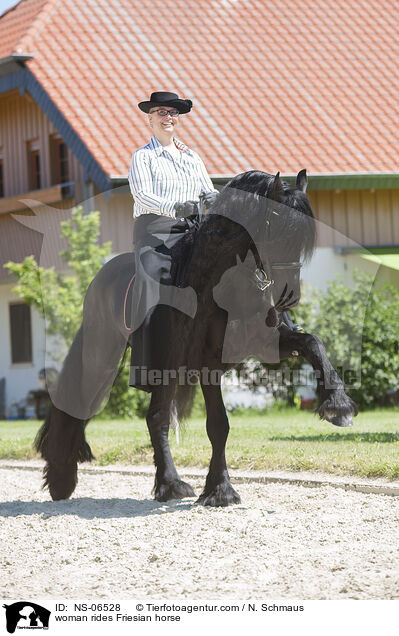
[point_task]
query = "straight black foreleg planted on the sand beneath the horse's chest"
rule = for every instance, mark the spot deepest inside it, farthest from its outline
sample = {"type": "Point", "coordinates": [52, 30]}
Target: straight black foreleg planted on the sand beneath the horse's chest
{"type": "Point", "coordinates": [218, 490]}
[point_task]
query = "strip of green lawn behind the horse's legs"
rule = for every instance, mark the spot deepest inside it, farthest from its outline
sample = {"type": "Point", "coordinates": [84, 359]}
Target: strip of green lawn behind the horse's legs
{"type": "Point", "coordinates": [283, 440]}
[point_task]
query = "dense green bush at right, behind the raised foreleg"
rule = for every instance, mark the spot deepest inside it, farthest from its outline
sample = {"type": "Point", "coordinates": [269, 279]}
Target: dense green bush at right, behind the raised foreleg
{"type": "Point", "coordinates": [359, 328]}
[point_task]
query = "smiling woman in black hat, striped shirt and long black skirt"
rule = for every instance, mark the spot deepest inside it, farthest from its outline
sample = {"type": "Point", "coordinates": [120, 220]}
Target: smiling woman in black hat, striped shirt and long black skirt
{"type": "Point", "coordinates": [165, 177]}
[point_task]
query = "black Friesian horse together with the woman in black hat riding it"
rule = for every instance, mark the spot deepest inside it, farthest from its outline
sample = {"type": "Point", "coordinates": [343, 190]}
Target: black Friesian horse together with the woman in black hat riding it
{"type": "Point", "coordinates": [232, 277]}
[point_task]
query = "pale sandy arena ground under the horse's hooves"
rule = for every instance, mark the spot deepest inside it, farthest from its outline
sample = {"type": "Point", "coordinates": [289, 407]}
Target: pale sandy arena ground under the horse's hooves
{"type": "Point", "coordinates": [111, 540]}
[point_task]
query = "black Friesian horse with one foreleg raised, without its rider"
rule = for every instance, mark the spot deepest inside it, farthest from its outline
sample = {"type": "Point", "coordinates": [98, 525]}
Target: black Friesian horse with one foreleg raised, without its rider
{"type": "Point", "coordinates": [242, 261]}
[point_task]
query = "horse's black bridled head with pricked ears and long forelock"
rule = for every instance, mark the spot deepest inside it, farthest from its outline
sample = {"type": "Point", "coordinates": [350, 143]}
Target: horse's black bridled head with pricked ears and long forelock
{"type": "Point", "coordinates": [280, 226]}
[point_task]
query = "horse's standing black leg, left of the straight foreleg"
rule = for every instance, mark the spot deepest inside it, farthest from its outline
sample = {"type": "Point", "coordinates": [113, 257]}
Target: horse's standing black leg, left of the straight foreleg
{"type": "Point", "coordinates": [168, 484]}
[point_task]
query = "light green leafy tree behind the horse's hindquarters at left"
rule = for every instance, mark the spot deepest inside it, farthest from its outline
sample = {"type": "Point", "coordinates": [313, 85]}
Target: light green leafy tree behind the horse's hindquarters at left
{"type": "Point", "coordinates": [59, 297]}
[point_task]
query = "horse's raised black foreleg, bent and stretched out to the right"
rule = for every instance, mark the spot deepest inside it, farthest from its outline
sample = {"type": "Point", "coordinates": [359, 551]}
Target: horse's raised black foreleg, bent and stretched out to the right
{"type": "Point", "coordinates": [333, 403]}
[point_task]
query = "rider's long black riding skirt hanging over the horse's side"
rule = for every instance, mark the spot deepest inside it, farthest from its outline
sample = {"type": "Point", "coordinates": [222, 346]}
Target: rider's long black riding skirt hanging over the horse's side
{"type": "Point", "coordinates": [158, 268]}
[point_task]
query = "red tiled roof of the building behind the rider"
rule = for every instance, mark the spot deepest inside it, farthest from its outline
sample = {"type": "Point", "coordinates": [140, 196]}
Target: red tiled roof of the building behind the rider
{"type": "Point", "coordinates": [275, 86]}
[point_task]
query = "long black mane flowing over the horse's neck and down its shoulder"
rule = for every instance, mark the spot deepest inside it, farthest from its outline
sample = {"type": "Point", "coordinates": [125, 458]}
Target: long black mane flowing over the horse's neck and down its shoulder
{"type": "Point", "coordinates": [248, 201]}
